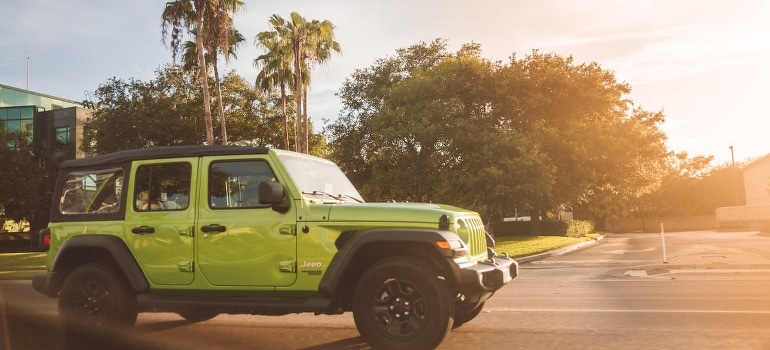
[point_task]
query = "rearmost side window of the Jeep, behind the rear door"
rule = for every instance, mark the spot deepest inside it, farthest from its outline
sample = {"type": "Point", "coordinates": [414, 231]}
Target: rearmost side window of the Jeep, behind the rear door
{"type": "Point", "coordinates": [92, 192]}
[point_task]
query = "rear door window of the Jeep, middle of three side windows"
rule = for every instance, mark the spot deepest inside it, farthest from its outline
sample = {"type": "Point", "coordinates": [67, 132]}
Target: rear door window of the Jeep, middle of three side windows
{"type": "Point", "coordinates": [162, 187]}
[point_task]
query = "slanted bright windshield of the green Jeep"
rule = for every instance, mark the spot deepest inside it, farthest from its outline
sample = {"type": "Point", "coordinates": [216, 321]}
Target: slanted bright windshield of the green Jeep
{"type": "Point", "coordinates": [318, 178]}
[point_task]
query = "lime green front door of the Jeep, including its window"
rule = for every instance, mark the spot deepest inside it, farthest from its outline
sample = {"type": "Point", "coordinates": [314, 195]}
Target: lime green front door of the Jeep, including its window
{"type": "Point", "coordinates": [241, 242]}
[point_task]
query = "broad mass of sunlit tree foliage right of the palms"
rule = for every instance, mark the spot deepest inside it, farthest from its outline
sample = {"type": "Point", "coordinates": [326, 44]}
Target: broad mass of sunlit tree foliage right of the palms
{"type": "Point", "coordinates": [538, 133]}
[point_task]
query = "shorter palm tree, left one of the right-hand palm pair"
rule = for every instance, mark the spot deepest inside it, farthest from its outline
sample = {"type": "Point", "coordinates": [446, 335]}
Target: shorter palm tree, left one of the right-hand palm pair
{"type": "Point", "coordinates": [275, 68]}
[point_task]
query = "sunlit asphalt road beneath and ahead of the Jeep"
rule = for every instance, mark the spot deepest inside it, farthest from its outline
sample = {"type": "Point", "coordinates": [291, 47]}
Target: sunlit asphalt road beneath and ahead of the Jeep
{"type": "Point", "coordinates": [710, 293]}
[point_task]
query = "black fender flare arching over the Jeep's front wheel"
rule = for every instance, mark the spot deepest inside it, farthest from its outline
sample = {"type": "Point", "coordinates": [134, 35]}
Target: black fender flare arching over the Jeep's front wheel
{"type": "Point", "coordinates": [350, 243]}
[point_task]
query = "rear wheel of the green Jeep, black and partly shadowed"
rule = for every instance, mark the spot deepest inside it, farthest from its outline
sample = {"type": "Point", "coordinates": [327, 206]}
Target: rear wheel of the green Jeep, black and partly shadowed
{"type": "Point", "coordinates": [94, 296]}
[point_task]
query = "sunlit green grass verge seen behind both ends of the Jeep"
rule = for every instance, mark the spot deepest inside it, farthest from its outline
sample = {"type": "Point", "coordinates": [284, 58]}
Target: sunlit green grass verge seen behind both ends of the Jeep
{"type": "Point", "coordinates": [21, 266]}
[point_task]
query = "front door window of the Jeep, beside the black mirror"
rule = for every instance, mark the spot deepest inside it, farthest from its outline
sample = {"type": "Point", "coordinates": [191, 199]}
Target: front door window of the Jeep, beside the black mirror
{"type": "Point", "coordinates": [235, 184]}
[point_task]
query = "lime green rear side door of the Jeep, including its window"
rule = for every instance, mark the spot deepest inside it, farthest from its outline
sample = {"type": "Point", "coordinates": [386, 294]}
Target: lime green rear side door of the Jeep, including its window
{"type": "Point", "coordinates": [160, 214]}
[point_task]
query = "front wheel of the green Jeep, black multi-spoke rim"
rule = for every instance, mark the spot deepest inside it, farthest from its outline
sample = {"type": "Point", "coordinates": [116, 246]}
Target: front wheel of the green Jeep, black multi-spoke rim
{"type": "Point", "coordinates": [401, 303]}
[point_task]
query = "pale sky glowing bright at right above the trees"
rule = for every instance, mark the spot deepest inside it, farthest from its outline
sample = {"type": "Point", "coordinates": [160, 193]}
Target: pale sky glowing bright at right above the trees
{"type": "Point", "coordinates": [704, 64]}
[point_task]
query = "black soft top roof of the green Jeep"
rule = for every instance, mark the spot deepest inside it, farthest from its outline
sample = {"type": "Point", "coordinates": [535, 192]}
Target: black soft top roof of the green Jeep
{"type": "Point", "coordinates": [161, 152]}
